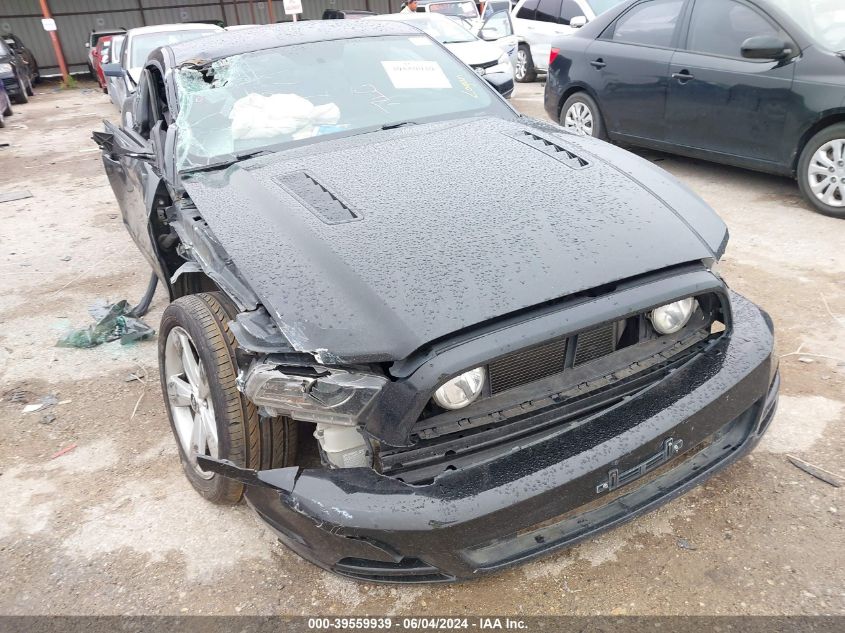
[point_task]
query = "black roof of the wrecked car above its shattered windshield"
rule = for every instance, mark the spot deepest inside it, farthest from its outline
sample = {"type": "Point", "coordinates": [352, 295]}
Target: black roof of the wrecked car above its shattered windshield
{"type": "Point", "coordinates": [229, 43]}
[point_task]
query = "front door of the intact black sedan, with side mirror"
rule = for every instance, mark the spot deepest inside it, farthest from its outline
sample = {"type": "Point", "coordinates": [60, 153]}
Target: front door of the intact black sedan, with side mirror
{"type": "Point", "coordinates": [720, 102]}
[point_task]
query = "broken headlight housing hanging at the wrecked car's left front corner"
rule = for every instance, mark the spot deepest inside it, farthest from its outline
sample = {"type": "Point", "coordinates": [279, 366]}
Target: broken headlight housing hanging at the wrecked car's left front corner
{"type": "Point", "coordinates": [330, 396]}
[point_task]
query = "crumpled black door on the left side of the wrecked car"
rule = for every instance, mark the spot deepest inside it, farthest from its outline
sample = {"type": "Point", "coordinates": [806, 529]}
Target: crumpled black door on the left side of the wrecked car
{"type": "Point", "coordinates": [132, 160]}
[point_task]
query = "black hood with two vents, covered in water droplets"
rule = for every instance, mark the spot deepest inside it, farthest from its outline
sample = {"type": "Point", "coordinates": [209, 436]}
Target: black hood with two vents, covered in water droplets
{"type": "Point", "coordinates": [370, 247]}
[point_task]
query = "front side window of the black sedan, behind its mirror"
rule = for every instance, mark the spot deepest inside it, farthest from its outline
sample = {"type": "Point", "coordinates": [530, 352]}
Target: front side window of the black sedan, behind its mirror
{"type": "Point", "coordinates": [719, 27]}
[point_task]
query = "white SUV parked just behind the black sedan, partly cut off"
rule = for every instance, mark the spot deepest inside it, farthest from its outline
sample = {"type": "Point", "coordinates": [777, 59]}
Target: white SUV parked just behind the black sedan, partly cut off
{"type": "Point", "coordinates": [538, 22]}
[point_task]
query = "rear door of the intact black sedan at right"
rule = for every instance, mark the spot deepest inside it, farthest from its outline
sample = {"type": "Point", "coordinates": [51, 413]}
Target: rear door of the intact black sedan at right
{"type": "Point", "coordinates": [629, 68]}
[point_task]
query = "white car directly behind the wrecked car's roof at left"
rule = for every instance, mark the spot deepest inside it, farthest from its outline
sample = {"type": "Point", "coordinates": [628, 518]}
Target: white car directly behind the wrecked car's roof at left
{"type": "Point", "coordinates": [139, 43]}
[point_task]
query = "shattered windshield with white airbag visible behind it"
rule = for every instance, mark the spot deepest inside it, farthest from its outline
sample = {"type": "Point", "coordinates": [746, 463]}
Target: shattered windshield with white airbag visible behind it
{"type": "Point", "coordinates": [272, 98]}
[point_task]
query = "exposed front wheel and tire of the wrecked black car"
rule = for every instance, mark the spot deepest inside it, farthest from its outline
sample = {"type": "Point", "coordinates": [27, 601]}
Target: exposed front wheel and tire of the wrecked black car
{"type": "Point", "coordinates": [212, 400]}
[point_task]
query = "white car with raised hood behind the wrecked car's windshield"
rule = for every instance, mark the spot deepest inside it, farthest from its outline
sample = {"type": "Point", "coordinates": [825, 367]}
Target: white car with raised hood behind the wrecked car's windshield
{"type": "Point", "coordinates": [487, 59]}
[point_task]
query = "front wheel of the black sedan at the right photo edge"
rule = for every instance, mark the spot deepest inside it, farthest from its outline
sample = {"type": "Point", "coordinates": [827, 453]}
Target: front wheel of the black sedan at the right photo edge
{"type": "Point", "coordinates": [823, 153]}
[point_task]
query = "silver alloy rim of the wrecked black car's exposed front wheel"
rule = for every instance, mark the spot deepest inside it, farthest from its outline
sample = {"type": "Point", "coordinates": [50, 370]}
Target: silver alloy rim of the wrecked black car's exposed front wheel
{"type": "Point", "coordinates": [189, 399]}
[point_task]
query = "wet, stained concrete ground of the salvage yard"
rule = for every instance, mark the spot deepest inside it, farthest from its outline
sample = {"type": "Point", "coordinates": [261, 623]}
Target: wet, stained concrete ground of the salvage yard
{"type": "Point", "coordinates": [112, 526]}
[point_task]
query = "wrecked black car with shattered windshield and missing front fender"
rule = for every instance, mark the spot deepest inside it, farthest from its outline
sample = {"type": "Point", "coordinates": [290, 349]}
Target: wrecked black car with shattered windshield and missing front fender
{"type": "Point", "coordinates": [423, 374]}
